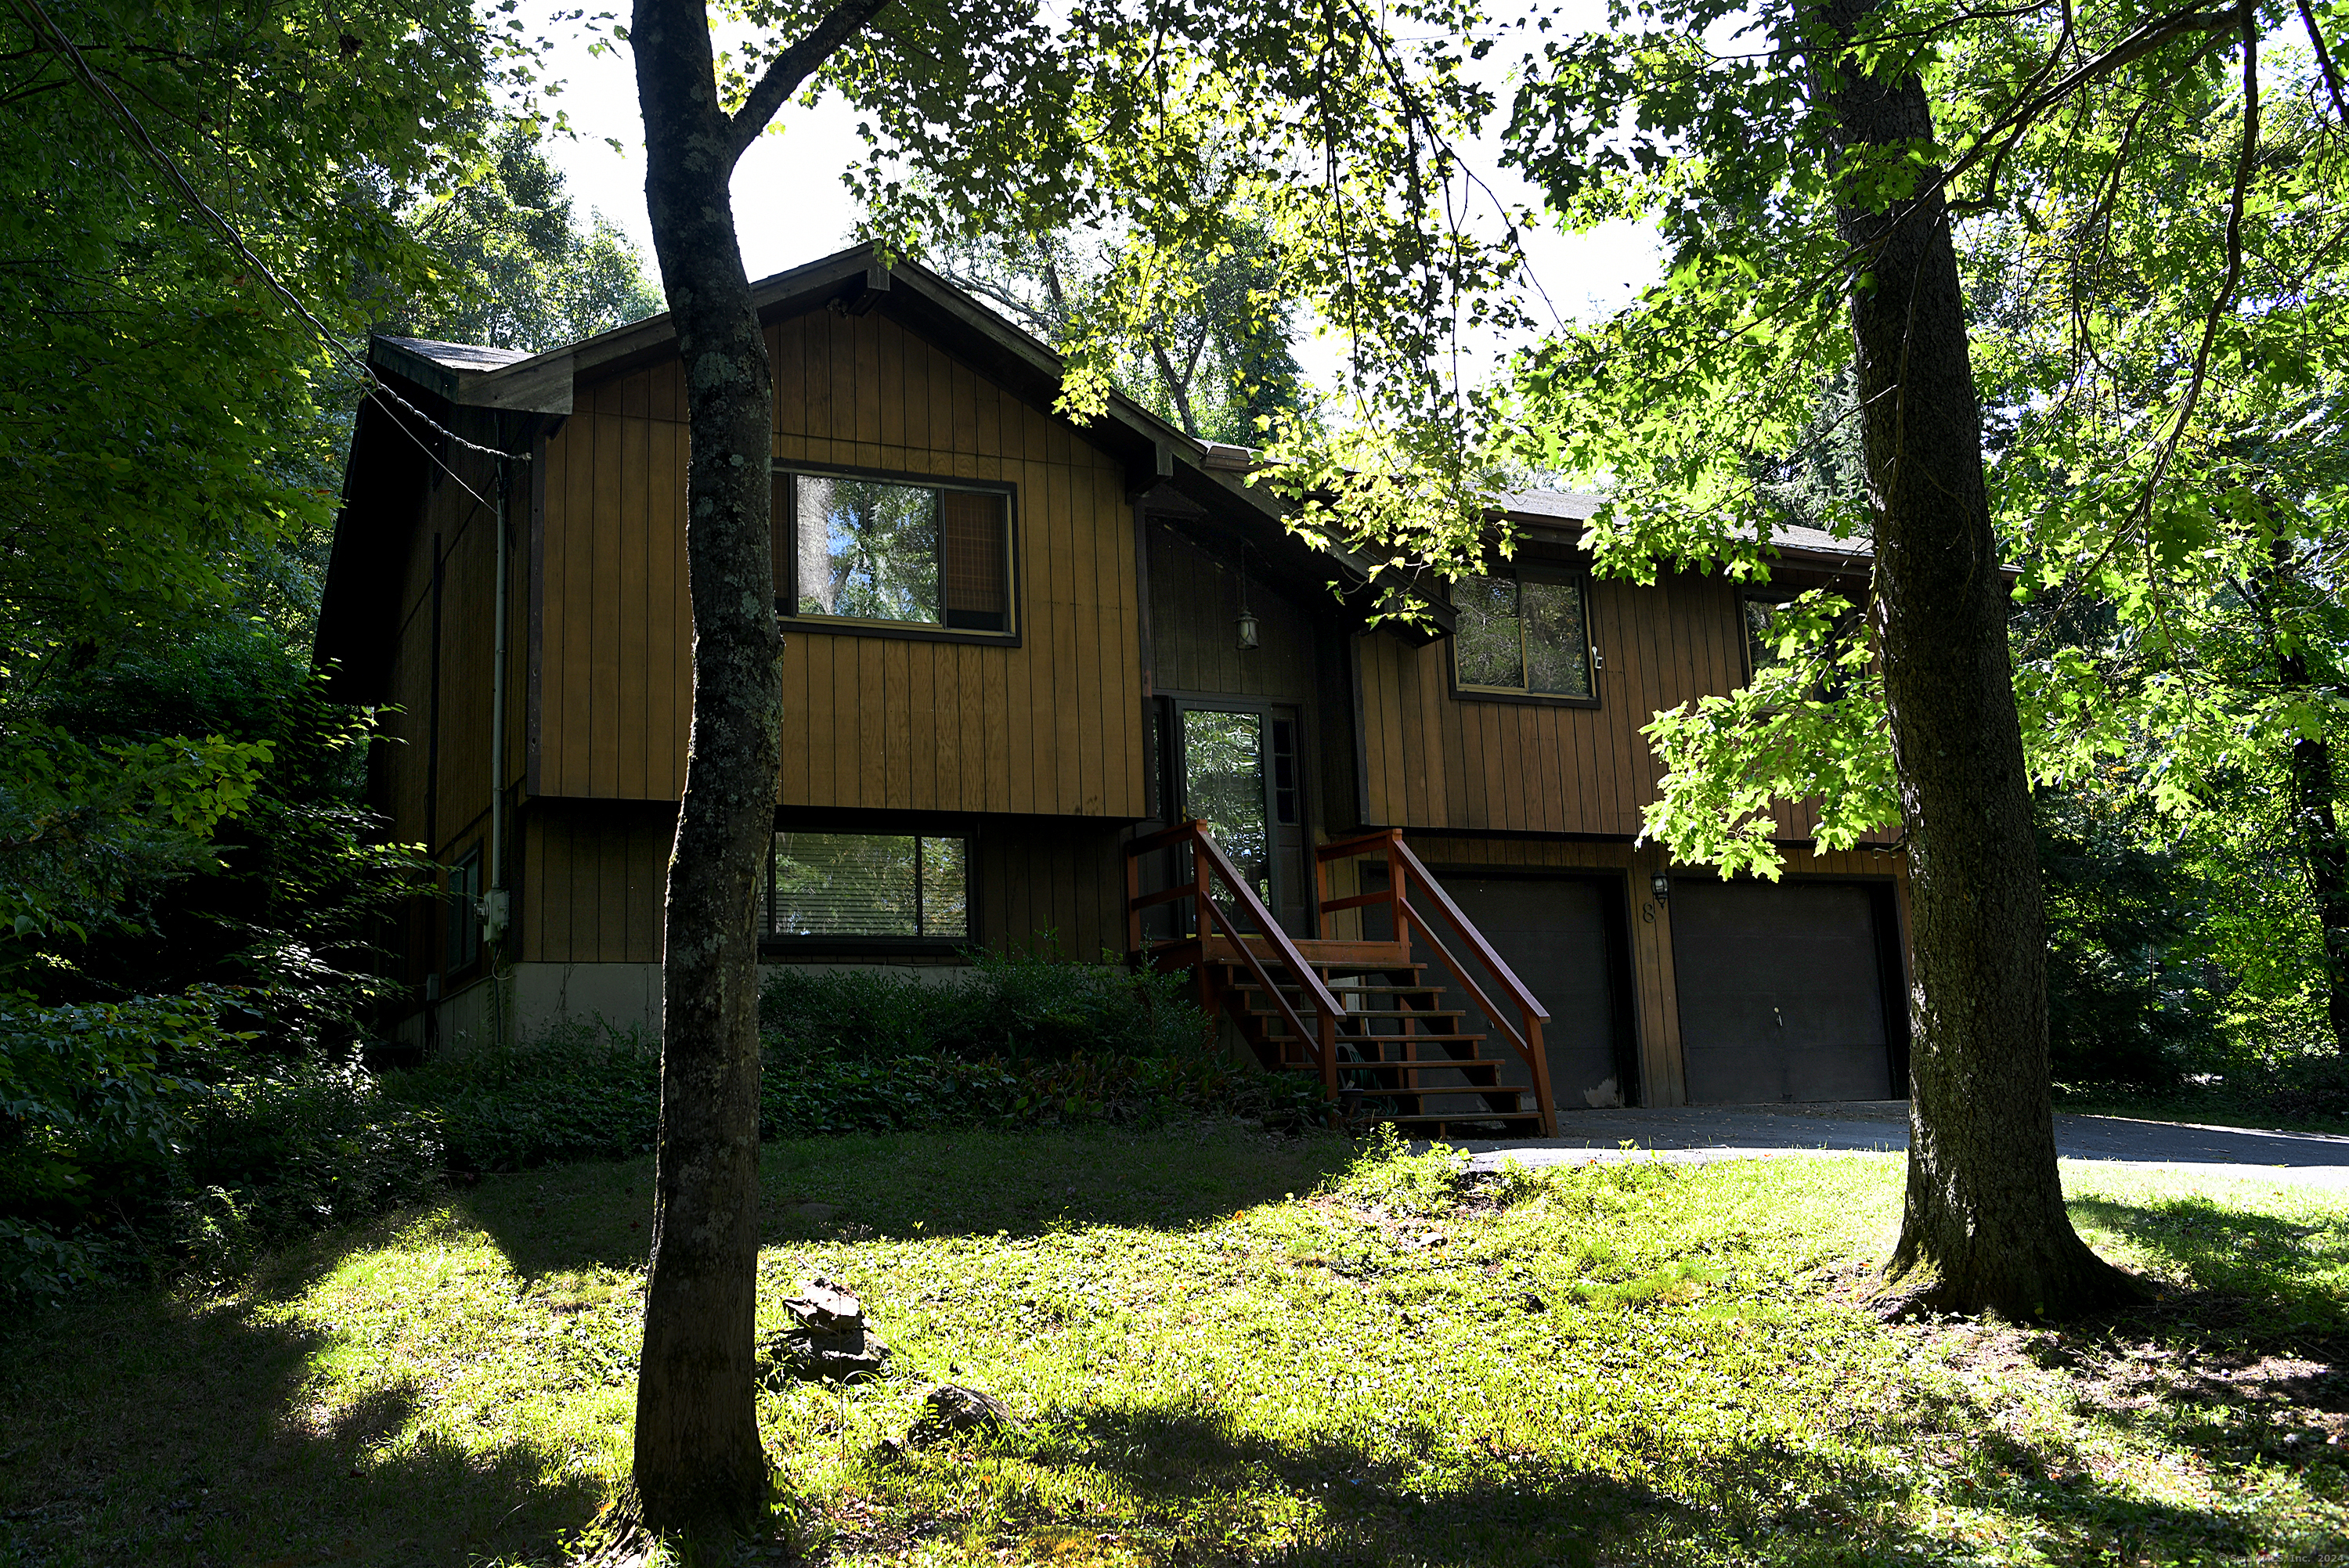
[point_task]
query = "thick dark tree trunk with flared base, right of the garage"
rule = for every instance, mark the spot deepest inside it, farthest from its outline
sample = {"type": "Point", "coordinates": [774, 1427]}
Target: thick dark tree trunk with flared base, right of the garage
{"type": "Point", "coordinates": [1984, 1226]}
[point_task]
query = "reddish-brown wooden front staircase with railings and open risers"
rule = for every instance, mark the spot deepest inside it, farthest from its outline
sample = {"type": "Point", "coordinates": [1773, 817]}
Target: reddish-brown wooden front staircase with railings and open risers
{"type": "Point", "coordinates": [1366, 1018]}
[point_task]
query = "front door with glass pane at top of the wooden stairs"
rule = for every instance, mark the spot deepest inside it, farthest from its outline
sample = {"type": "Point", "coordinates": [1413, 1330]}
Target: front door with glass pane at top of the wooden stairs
{"type": "Point", "coordinates": [1239, 773]}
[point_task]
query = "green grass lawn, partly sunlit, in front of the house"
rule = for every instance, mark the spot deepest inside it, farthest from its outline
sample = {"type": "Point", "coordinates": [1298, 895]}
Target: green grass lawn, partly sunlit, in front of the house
{"type": "Point", "coordinates": [1232, 1351]}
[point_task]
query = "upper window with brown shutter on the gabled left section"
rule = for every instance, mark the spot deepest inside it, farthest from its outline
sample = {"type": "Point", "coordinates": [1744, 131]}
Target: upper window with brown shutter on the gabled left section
{"type": "Point", "coordinates": [891, 553]}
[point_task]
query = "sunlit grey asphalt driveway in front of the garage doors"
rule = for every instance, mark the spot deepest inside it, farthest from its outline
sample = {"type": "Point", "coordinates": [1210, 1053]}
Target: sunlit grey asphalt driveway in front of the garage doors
{"type": "Point", "coordinates": [1772, 1133]}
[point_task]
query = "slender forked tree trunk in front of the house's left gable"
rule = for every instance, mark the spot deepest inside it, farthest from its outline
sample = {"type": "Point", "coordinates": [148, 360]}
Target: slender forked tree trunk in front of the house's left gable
{"type": "Point", "coordinates": [699, 1457]}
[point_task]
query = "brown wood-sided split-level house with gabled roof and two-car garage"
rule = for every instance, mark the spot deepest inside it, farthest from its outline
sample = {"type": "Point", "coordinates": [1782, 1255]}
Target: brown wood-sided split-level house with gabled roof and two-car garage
{"type": "Point", "coordinates": [1021, 654]}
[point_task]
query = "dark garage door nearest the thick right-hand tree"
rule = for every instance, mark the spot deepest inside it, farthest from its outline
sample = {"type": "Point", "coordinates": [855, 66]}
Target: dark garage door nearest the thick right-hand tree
{"type": "Point", "coordinates": [1782, 994]}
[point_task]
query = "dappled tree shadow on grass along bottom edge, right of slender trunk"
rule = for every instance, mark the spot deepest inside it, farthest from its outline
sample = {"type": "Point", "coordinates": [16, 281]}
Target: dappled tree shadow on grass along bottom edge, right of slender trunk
{"type": "Point", "coordinates": [1211, 1485]}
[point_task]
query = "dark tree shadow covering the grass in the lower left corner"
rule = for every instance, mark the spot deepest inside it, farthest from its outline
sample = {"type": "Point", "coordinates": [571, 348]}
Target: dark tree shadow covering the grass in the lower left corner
{"type": "Point", "coordinates": [152, 1428]}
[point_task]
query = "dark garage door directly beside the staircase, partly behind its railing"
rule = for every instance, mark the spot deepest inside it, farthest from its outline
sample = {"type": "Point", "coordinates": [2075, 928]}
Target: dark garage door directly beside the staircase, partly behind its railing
{"type": "Point", "coordinates": [1561, 940]}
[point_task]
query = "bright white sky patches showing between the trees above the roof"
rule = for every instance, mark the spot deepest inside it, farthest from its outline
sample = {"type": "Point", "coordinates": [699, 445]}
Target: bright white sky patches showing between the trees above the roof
{"type": "Point", "coordinates": [790, 205]}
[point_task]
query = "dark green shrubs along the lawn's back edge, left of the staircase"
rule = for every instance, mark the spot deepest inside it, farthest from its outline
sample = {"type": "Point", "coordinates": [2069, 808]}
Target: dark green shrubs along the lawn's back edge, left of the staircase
{"type": "Point", "coordinates": [198, 1172]}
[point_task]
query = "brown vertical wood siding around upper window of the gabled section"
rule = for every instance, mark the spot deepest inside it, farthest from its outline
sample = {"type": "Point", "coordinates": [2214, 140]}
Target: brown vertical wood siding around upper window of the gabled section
{"type": "Point", "coordinates": [1049, 726]}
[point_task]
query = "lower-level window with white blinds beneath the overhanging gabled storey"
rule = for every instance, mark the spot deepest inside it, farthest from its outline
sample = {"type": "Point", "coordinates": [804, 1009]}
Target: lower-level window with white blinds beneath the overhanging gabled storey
{"type": "Point", "coordinates": [868, 886]}
